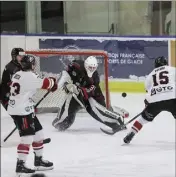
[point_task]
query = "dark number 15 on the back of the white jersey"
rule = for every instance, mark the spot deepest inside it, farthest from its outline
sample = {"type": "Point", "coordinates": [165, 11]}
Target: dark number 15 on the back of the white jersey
{"type": "Point", "coordinates": [163, 78]}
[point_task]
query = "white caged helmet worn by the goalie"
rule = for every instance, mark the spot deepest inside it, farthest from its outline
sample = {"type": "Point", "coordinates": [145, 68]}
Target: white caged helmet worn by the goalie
{"type": "Point", "coordinates": [90, 65]}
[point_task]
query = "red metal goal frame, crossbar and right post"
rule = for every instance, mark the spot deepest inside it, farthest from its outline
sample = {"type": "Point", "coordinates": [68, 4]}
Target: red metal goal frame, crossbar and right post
{"type": "Point", "coordinates": [47, 53]}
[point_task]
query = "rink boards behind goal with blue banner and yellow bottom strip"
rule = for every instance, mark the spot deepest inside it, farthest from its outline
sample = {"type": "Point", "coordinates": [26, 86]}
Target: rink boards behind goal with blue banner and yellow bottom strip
{"type": "Point", "coordinates": [130, 58]}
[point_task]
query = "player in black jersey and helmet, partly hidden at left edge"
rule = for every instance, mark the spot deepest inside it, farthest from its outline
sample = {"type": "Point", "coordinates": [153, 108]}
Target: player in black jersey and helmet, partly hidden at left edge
{"type": "Point", "coordinates": [10, 69]}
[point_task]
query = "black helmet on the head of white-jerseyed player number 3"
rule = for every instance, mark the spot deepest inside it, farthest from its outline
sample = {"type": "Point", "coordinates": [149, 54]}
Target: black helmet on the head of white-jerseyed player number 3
{"type": "Point", "coordinates": [27, 62]}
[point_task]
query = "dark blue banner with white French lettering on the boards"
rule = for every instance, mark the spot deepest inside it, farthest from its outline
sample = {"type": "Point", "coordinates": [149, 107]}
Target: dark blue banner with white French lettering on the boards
{"type": "Point", "coordinates": [128, 59]}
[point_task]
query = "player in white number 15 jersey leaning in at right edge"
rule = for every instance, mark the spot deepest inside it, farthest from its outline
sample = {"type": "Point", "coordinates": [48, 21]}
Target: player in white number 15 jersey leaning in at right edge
{"type": "Point", "coordinates": [161, 95]}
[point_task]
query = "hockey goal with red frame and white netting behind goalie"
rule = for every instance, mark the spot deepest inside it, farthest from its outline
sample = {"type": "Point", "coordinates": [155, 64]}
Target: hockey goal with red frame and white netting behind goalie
{"type": "Point", "coordinates": [53, 62]}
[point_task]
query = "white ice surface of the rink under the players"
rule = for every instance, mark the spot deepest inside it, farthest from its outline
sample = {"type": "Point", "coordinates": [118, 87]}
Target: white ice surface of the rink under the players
{"type": "Point", "coordinates": [84, 151]}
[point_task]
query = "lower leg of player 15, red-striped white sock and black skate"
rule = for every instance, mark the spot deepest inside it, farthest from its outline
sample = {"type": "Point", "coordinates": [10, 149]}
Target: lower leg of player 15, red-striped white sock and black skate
{"type": "Point", "coordinates": [137, 126]}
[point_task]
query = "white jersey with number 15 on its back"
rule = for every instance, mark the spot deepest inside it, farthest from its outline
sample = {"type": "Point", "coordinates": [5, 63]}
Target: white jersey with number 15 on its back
{"type": "Point", "coordinates": [161, 84]}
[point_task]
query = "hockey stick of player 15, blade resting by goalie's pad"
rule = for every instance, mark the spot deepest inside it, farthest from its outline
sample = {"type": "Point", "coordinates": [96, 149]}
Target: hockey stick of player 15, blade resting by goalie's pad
{"type": "Point", "coordinates": [120, 127]}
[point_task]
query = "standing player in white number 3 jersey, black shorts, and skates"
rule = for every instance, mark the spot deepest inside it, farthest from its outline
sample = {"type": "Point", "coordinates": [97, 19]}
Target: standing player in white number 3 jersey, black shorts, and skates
{"type": "Point", "coordinates": [21, 108]}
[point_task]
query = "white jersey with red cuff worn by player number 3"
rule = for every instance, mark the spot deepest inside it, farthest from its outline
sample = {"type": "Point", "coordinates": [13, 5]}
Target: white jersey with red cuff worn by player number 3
{"type": "Point", "coordinates": [24, 85]}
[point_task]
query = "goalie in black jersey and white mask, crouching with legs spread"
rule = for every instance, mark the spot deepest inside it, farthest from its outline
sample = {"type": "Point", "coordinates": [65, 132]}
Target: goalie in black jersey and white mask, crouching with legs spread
{"type": "Point", "coordinates": [81, 79]}
